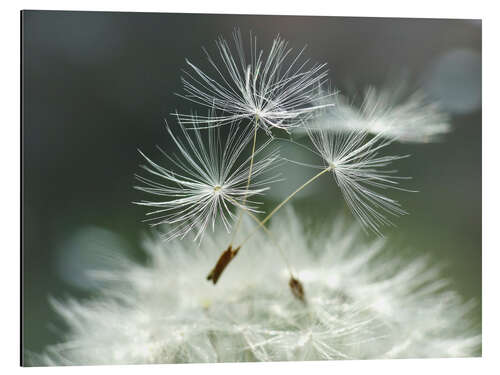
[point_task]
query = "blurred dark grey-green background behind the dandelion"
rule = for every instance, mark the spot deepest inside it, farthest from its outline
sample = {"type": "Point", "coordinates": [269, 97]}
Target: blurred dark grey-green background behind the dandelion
{"type": "Point", "coordinates": [98, 85]}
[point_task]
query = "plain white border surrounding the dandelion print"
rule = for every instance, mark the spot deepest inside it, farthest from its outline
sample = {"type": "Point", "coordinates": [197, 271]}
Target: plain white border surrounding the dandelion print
{"type": "Point", "coordinates": [10, 156]}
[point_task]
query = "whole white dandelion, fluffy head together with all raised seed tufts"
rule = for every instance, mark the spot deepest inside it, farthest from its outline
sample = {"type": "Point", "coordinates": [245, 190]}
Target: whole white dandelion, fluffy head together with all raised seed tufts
{"type": "Point", "coordinates": [360, 301]}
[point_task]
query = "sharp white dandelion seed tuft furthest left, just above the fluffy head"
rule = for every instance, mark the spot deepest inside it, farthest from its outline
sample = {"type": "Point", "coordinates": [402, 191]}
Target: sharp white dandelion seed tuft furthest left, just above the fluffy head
{"type": "Point", "coordinates": [211, 182]}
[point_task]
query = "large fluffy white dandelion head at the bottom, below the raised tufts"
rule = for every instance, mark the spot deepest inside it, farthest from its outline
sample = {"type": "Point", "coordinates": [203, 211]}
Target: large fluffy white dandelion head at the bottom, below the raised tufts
{"type": "Point", "coordinates": [361, 303]}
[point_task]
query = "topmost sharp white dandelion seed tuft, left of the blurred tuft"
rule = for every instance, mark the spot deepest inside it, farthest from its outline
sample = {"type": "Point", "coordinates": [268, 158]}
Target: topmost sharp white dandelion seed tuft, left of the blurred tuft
{"type": "Point", "coordinates": [275, 91]}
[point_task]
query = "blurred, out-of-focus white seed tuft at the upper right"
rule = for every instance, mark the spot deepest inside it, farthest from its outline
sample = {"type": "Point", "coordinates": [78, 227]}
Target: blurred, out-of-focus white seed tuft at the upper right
{"type": "Point", "coordinates": [391, 111]}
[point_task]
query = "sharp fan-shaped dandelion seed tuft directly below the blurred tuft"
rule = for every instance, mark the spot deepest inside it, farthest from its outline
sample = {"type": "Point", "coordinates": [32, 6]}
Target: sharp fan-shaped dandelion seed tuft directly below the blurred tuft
{"type": "Point", "coordinates": [357, 168]}
